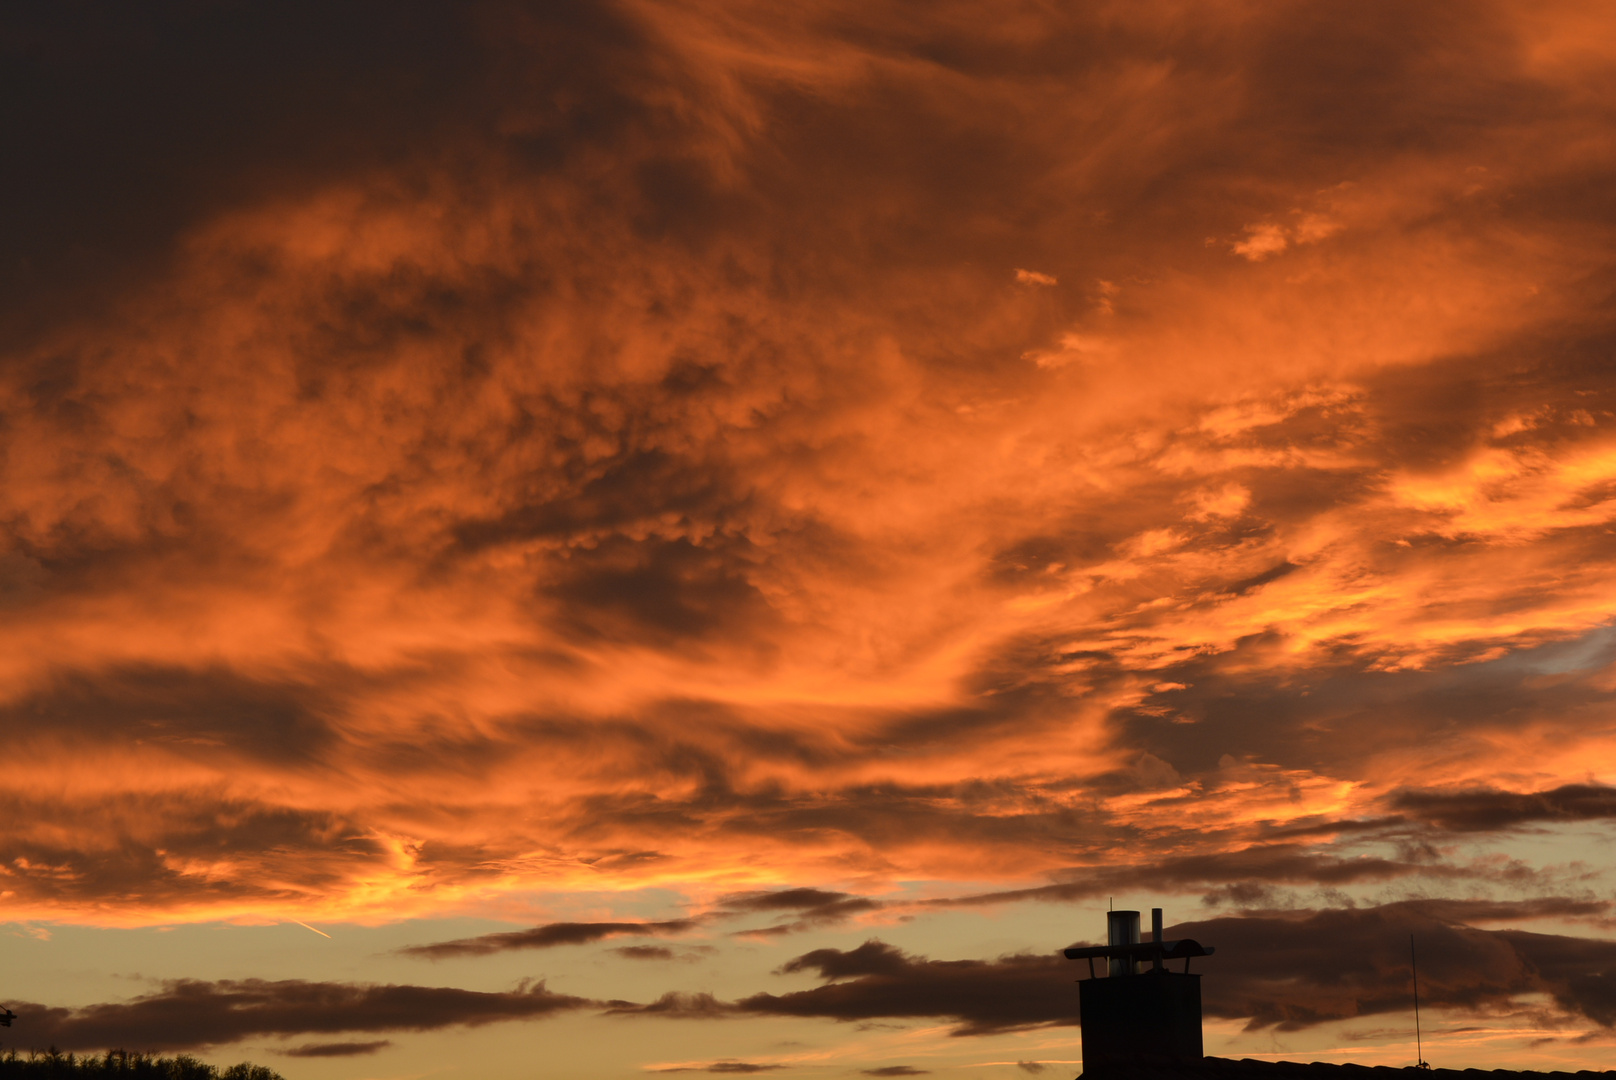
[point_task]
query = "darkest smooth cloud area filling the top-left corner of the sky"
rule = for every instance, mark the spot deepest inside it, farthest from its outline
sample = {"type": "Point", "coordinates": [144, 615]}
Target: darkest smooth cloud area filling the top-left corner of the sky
{"type": "Point", "coordinates": [133, 125]}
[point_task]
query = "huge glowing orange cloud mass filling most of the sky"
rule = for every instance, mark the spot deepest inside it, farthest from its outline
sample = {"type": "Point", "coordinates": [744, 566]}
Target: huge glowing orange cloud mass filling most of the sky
{"type": "Point", "coordinates": [660, 471]}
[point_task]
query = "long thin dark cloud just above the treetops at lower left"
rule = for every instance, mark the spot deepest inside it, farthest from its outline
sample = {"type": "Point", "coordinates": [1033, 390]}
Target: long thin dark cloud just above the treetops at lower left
{"type": "Point", "coordinates": [190, 1013]}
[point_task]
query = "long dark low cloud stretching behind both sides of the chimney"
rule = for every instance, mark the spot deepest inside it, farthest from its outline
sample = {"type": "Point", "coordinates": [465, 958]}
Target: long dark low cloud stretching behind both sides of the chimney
{"type": "Point", "coordinates": [1284, 971]}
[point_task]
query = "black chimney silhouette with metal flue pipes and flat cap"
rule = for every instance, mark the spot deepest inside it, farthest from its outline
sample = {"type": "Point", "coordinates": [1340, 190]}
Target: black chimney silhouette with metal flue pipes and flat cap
{"type": "Point", "coordinates": [1134, 1016]}
